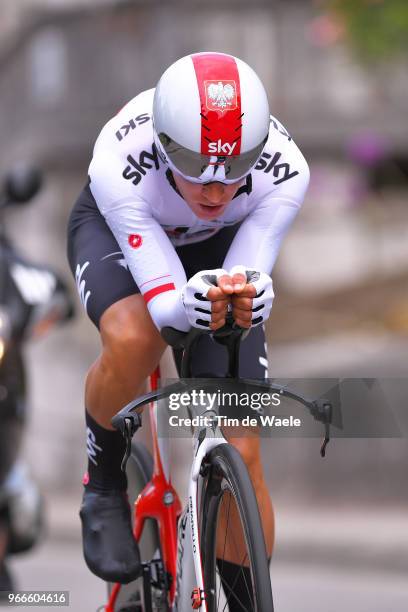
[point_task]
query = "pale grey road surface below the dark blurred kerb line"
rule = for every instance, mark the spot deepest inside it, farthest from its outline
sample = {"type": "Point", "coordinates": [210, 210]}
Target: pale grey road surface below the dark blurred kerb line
{"type": "Point", "coordinates": [297, 587]}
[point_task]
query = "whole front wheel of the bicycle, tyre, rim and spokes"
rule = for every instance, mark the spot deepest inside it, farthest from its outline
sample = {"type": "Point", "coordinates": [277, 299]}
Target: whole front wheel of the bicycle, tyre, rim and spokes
{"type": "Point", "coordinates": [226, 482]}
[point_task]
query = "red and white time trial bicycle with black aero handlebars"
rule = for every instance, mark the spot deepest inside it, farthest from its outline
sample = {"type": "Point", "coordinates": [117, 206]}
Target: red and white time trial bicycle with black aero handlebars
{"type": "Point", "coordinates": [181, 564]}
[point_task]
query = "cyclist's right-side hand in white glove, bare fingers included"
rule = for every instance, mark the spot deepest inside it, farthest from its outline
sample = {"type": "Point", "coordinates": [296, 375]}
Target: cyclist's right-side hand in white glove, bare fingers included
{"type": "Point", "coordinates": [252, 298]}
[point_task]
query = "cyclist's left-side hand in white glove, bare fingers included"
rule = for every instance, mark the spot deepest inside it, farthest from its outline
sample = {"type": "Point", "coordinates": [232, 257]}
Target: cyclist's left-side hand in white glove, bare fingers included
{"type": "Point", "coordinates": [205, 302]}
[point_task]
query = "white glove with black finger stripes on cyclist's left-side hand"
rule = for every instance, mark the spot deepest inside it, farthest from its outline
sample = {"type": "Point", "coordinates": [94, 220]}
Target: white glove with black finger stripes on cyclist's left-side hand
{"type": "Point", "coordinates": [194, 296]}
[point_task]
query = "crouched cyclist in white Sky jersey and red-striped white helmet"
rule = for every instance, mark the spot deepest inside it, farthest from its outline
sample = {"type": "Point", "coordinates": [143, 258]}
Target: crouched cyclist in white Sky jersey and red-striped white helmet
{"type": "Point", "coordinates": [192, 187]}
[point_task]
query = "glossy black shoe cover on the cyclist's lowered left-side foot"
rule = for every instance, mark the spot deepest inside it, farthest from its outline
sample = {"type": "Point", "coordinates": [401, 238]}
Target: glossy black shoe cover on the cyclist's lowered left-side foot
{"type": "Point", "coordinates": [110, 550]}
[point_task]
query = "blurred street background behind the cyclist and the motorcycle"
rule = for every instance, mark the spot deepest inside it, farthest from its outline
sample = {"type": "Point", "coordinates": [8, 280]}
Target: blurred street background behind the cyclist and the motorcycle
{"type": "Point", "coordinates": [336, 75]}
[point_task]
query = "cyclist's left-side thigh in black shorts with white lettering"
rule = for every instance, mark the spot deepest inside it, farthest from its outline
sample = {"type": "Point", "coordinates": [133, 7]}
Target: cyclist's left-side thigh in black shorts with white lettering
{"type": "Point", "coordinates": [95, 258]}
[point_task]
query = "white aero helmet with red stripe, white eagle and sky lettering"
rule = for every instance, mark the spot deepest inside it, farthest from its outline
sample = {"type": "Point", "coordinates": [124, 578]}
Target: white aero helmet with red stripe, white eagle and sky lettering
{"type": "Point", "coordinates": [210, 117]}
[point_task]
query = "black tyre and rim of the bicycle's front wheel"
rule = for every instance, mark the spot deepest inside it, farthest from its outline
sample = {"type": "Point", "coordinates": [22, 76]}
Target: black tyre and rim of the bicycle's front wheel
{"type": "Point", "coordinates": [226, 472]}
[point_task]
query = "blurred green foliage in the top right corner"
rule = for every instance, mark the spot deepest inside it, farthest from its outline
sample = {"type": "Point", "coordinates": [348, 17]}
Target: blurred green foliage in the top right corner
{"type": "Point", "coordinates": [376, 29]}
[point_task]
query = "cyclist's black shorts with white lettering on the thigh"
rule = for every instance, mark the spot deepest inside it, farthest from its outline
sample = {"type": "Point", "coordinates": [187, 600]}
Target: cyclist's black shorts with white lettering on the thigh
{"type": "Point", "coordinates": [102, 278]}
